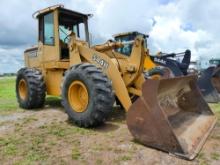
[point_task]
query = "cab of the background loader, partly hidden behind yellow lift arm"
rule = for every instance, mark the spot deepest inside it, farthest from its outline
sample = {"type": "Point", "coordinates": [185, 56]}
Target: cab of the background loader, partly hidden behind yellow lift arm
{"type": "Point", "coordinates": [127, 39]}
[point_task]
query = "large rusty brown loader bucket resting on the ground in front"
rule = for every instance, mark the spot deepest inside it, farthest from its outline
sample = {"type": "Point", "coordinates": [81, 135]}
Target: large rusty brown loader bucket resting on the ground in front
{"type": "Point", "coordinates": [171, 115]}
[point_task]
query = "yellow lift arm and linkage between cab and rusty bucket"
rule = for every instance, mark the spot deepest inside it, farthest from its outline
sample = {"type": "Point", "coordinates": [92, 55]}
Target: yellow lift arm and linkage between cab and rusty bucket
{"type": "Point", "coordinates": [132, 73]}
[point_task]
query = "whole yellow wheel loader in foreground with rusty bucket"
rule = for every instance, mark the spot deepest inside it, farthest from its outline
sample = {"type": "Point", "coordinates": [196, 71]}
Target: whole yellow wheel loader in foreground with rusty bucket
{"type": "Point", "coordinates": [168, 114]}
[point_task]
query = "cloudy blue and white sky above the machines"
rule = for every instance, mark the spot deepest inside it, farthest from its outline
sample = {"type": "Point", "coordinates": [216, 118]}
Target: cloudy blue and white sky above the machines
{"type": "Point", "coordinates": [173, 25]}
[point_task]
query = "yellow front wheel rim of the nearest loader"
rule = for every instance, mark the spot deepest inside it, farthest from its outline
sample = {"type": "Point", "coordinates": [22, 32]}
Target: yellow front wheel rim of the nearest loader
{"type": "Point", "coordinates": [78, 96]}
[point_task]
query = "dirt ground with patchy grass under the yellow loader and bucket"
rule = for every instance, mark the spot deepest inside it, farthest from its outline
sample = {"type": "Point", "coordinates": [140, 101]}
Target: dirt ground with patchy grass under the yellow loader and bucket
{"type": "Point", "coordinates": [46, 136]}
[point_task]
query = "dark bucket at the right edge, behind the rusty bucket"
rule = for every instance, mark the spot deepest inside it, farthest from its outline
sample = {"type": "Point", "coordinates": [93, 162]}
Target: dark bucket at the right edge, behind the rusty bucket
{"type": "Point", "coordinates": [207, 87]}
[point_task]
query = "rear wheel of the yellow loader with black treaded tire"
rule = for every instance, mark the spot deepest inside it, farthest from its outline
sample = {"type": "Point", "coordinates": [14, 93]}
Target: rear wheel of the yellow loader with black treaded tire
{"type": "Point", "coordinates": [35, 88]}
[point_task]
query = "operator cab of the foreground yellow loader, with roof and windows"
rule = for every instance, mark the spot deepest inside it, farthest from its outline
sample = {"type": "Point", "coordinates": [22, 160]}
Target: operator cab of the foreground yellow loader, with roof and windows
{"type": "Point", "coordinates": [55, 25]}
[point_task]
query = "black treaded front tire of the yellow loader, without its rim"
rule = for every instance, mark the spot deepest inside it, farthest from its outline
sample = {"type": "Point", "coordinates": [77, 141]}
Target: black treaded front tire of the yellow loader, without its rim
{"type": "Point", "coordinates": [100, 95]}
